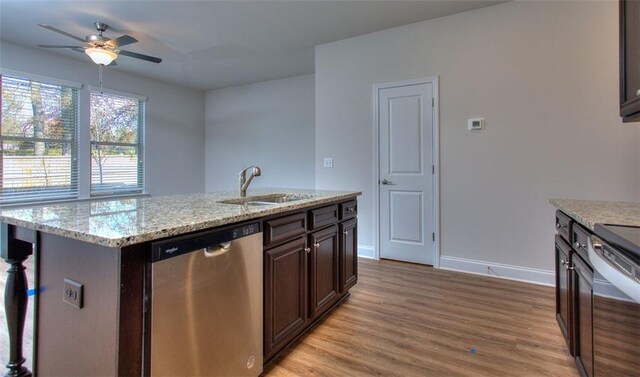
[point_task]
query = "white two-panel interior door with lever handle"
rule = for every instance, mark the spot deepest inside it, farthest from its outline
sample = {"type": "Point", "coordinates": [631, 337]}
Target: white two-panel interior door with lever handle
{"type": "Point", "coordinates": [406, 179]}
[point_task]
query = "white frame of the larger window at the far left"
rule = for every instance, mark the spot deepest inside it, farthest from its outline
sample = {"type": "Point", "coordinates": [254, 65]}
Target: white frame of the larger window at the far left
{"type": "Point", "coordinates": [73, 192]}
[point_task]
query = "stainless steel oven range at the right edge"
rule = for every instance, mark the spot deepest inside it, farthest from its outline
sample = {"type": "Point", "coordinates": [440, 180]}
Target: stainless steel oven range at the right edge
{"type": "Point", "coordinates": [614, 253]}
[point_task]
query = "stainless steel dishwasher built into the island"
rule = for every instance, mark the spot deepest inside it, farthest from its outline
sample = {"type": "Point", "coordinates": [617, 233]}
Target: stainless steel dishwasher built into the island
{"type": "Point", "coordinates": [205, 310]}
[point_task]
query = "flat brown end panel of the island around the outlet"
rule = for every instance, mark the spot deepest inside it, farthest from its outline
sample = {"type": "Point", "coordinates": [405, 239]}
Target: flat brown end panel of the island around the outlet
{"type": "Point", "coordinates": [84, 340]}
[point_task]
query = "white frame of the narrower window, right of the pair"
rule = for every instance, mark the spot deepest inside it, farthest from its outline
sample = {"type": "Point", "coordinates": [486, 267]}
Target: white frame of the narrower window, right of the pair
{"type": "Point", "coordinates": [140, 145]}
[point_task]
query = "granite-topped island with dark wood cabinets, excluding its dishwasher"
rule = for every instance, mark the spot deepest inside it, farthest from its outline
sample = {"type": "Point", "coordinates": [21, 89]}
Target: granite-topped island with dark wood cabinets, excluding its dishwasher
{"type": "Point", "coordinates": [105, 245]}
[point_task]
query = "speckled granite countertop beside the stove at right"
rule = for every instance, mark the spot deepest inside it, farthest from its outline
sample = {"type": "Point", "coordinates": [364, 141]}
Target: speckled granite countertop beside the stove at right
{"type": "Point", "coordinates": [589, 212]}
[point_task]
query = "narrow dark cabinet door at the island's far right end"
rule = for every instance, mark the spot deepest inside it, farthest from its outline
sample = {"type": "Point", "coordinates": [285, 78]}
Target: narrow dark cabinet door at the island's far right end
{"type": "Point", "coordinates": [348, 255]}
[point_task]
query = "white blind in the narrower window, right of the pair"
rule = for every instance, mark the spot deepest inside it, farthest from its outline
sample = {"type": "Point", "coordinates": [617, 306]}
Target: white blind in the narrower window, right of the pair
{"type": "Point", "coordinates": [117, 148]}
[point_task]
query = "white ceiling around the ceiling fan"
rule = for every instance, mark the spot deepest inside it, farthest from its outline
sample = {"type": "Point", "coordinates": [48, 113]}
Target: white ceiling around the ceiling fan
{"type": "Point", "coordinates": [216, 44]}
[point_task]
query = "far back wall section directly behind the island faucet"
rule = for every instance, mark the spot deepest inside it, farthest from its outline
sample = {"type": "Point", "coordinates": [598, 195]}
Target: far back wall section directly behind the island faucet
{"type": "Point", "coordinates": [269, 124]}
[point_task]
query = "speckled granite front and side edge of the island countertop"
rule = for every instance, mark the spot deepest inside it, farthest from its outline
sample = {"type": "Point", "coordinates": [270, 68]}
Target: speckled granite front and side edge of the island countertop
{"type": "Point", "coordinates": [184, 229]}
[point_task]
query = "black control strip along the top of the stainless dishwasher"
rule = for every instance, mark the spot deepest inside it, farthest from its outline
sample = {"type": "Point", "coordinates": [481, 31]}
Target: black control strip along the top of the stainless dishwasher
{"type": "Point", "coordinates": [180, 245]}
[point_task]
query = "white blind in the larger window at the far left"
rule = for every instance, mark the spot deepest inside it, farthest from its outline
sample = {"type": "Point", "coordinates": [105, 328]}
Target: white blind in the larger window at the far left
{"type": "Point", "coordinates": [38, 141]}
